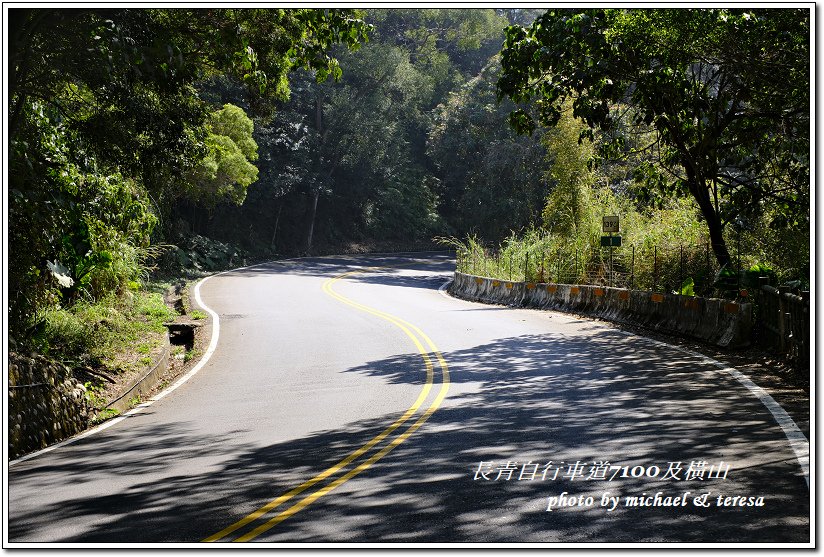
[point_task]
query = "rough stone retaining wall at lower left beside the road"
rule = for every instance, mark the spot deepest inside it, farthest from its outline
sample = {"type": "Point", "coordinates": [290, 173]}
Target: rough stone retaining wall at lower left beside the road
{"type": "Point", "coordinates": [45, 405]}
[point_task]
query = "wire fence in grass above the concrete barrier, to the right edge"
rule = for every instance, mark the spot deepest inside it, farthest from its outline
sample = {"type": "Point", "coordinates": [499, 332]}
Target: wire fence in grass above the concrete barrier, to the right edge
{"type": "Point", "coordinates": [781, 318]}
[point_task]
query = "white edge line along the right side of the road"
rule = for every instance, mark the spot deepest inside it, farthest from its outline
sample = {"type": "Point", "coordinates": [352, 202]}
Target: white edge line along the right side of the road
{"type": "Point", "coordinates": [798, 441]}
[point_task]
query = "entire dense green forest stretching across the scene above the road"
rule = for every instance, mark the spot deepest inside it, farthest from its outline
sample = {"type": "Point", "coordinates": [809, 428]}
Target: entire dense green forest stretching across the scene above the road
{"type": "Point", "coordinates": [150, 139]}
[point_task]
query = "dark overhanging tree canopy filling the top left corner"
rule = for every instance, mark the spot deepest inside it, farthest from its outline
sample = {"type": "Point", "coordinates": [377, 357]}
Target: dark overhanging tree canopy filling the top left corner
{"type": "Point", "coordinates": [123, 78]}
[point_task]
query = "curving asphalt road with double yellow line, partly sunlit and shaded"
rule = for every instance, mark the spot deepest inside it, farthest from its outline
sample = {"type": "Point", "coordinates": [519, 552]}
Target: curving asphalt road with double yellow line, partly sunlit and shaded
{"type": "Point", "coordinates": [345, 403]}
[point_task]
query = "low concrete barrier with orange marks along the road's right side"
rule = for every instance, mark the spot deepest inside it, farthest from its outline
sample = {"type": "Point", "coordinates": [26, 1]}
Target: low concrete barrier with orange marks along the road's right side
{"type": "Point", "coordinates": [719, 322]}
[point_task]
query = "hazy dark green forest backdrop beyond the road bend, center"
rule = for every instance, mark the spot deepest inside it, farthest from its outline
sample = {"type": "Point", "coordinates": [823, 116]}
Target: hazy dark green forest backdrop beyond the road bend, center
{"type": "Point", "coordinates": [348, 160]}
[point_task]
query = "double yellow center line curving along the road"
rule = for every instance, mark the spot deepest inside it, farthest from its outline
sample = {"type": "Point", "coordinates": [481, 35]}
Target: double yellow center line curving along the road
{"type": "Point", "coordinates": [268, 516]}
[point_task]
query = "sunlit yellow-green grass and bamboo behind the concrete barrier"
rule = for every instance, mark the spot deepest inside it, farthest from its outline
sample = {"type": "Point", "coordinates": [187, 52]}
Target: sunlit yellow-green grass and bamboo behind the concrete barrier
{"type": "Point", "coordinates": [664, 247]}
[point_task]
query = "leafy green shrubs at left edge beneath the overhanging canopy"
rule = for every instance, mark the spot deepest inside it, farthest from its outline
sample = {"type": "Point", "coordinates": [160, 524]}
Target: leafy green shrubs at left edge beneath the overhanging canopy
{"type": "Point", "coordinates": [86, 229]}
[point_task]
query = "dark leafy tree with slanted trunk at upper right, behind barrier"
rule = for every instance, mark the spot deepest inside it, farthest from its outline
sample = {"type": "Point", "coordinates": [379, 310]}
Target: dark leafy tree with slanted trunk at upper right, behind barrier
{"type": "Point", "coordinates": [726, 91]}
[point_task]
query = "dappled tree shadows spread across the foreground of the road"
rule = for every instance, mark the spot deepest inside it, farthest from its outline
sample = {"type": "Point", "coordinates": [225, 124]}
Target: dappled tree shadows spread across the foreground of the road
{"type": "Point", "coordinates": [519, 402]}
